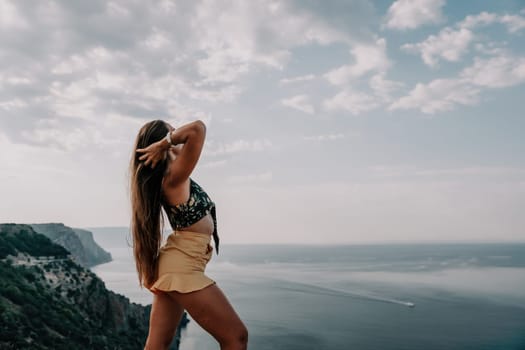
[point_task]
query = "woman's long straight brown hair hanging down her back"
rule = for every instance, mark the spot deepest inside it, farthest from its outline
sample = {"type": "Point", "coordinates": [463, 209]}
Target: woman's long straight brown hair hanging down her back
{"type": "Point", "coordinates": [146, 208]}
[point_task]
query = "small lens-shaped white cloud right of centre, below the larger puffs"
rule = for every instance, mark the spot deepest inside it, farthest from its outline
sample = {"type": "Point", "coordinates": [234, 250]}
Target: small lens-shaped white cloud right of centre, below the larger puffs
{"type": "Point", "coordinates": [351, 101]}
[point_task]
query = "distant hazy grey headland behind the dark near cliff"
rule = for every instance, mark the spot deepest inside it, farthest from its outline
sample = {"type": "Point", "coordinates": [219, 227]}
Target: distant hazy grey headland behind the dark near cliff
{"type": "Point", "coordinates": [77, 241]}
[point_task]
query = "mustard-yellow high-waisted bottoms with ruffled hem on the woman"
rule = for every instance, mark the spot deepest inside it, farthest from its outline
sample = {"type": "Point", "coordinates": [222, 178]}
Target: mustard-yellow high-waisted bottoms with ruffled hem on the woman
{"type": "Point", "coordinates": [182, 261]}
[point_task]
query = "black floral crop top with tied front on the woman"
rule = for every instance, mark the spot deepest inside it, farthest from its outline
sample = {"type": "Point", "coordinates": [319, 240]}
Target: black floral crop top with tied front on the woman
{"type": "Point", "coordinates": [198, 206]}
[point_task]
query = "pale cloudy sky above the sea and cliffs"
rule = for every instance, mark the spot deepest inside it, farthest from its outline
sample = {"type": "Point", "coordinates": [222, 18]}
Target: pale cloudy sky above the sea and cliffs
{"type": "Point", "coordinates": [328, 122]}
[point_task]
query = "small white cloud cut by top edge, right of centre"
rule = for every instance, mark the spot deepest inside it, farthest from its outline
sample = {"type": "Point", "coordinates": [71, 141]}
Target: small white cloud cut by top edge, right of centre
{"type": "Point", "coordinates": [410, 14]}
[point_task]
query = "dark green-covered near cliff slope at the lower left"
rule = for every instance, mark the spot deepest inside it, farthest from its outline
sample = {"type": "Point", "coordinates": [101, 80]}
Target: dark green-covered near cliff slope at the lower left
{"type": "Point", "coordinates": [48, 301]}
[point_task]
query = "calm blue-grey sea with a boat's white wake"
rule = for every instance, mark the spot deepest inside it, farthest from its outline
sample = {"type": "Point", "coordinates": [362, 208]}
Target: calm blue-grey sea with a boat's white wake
{"type": "Point", "coordinates": [446, 296]}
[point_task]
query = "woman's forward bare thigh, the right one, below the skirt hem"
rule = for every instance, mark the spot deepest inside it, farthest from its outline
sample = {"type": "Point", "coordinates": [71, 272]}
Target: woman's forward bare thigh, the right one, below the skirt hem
{"type": "Point", "coordinates": [210, 308]}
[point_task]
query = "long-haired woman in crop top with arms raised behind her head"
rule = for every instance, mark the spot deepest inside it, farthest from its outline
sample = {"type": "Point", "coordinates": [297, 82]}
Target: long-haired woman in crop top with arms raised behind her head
{"type": "Point", "coordinates": [160, 169]}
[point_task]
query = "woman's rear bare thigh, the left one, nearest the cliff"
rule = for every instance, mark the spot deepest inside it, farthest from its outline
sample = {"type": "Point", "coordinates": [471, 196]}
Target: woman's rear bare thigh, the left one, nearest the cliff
{"type": "Point", "coordinates": [165, 316]}
